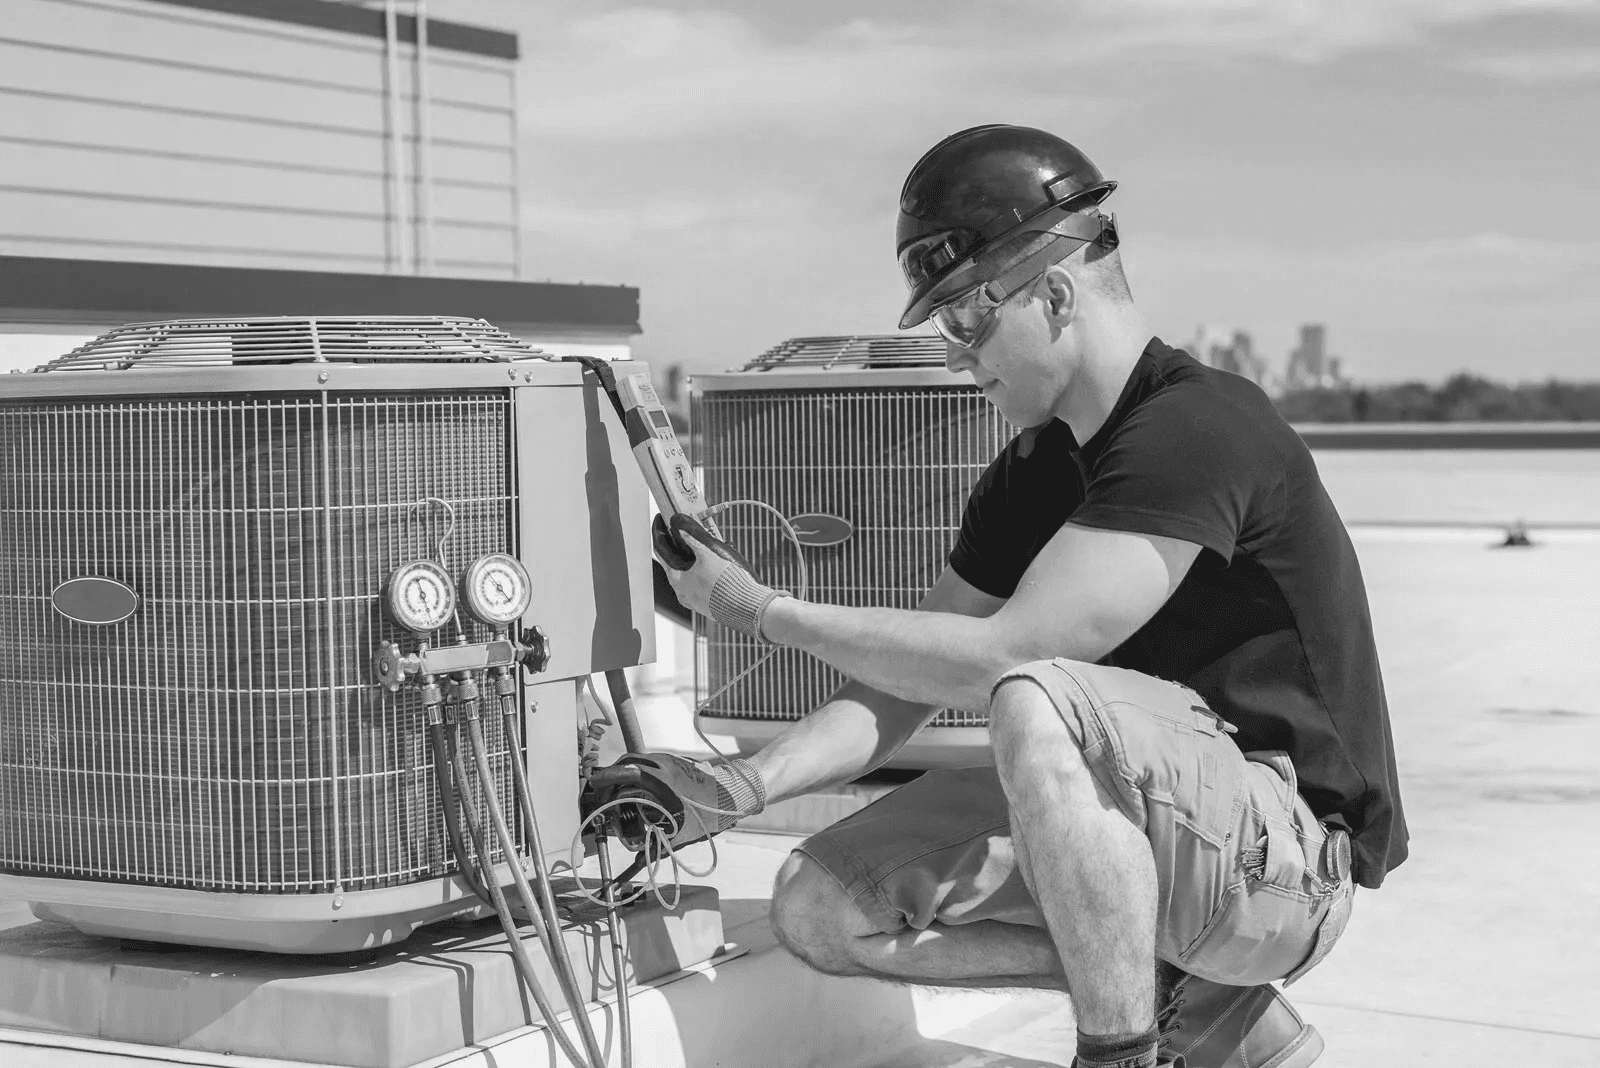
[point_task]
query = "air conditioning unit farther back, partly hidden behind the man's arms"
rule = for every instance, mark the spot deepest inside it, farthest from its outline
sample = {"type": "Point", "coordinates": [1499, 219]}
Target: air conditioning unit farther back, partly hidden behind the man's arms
{"type": "Point", "coordinates": [868, 444]}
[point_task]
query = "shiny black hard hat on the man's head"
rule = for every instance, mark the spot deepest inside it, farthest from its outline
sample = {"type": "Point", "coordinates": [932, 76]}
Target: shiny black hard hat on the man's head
{"type": "Point", "coordinates": [980, 188]}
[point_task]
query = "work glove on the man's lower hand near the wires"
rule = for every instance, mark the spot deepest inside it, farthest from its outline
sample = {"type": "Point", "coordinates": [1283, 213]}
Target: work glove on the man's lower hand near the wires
{"type": "Point", "coordinates": [700, 800]}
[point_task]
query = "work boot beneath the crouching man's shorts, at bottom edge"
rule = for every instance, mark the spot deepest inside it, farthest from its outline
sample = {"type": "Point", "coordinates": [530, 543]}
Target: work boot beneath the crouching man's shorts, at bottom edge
{"type": "Point", "coordinates": [1212, 1026]}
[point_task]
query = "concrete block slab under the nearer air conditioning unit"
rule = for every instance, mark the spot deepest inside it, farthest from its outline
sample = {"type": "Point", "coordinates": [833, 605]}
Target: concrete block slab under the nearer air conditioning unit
{"type": "Point", "coordinates": [452, 986]}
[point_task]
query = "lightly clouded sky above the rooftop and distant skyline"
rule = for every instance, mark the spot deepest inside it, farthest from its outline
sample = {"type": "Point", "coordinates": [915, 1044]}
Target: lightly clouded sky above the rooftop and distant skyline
{"type": "Point", "coordinates": [1418, 175]}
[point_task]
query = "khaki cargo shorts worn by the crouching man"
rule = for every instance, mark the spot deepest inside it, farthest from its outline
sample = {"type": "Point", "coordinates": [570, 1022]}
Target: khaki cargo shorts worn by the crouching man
{"type": "Point", "coordinates": [1246, 879]}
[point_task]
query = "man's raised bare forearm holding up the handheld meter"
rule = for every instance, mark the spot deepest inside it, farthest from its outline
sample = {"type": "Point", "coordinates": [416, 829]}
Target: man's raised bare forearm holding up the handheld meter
{"type": "Point", "coordinates": [926, 658]}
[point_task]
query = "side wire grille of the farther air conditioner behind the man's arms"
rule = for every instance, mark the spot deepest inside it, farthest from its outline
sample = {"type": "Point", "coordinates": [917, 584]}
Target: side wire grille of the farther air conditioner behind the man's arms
{"type": "Point", "coordinates": [897, 463]}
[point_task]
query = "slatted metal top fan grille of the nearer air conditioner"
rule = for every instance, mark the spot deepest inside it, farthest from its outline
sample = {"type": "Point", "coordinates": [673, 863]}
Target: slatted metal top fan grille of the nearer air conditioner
{"type": "Point", "coordinates": [266, 341]}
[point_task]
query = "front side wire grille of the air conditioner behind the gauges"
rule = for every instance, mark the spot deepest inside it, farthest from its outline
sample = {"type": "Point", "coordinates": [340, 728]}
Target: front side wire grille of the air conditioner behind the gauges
{"type": "Point", "coordinates": [230, 736]}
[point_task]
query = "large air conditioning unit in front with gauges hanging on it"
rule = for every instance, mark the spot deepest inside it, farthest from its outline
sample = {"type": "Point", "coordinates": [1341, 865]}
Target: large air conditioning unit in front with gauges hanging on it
{"type": "Point", "coordinates": [198, 525]}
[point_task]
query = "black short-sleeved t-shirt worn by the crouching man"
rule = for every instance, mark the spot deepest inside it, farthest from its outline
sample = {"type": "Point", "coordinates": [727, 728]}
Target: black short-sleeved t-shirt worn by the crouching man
{"type": "Point", "coordinates": [1270, 626]}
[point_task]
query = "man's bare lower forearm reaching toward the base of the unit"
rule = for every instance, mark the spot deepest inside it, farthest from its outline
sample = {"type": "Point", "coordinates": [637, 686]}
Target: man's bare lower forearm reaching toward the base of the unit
{"type": "Point", "coordinates": [842, 741]}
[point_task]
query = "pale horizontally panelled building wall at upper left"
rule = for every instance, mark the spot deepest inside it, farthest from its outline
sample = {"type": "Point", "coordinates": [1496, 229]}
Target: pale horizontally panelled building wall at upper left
{"type": "Point", "coordinates": [164, 132]}
